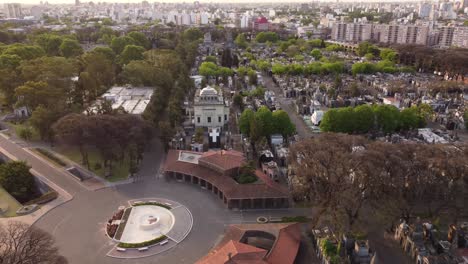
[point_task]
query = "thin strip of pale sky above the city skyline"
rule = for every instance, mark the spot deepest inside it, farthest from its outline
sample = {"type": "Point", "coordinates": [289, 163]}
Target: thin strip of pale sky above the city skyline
{"type": "Point", "coordinates": [36, 2]}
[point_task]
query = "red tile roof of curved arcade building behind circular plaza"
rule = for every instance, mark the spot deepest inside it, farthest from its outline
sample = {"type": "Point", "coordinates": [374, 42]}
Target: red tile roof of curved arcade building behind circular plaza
{"type": "Point", "coordinates": [230, 188]}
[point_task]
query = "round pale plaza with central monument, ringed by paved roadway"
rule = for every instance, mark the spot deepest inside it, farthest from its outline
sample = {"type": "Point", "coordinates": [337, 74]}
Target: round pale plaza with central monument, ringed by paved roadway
{"type": "Point", "coordinates": [147, 227]}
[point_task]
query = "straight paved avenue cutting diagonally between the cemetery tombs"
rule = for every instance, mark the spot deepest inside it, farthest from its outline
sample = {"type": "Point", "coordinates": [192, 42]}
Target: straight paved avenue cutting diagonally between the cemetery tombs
{"type": "Point", "coordinates": [286, 104]}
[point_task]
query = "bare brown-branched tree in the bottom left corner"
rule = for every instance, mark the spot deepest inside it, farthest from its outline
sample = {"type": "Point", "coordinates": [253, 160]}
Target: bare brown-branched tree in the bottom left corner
{"type": "Point", "coordinates": [23, 244]}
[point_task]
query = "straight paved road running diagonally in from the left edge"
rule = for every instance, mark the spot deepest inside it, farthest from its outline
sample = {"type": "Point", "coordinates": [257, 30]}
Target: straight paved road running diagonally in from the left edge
{"type": "Point", "coordinates": [62, 179]}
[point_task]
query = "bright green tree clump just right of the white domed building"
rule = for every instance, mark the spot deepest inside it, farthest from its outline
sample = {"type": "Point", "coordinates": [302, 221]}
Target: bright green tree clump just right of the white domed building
{"type": "Point", "coordinates": [263, 123]}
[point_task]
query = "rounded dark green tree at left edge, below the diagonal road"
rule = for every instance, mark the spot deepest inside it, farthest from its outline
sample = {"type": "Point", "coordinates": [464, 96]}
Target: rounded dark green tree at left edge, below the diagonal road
{"type": "Point", "coordinates": [16, 179]}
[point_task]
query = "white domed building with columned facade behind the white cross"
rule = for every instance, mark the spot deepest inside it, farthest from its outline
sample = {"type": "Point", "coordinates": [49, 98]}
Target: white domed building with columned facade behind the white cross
{"type": "Point", "coordinates": [209, 108]}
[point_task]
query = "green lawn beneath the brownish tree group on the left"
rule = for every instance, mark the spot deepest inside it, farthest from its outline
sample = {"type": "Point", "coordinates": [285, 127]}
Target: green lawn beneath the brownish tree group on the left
{"type": "Point", "coordinates": [120, 170]}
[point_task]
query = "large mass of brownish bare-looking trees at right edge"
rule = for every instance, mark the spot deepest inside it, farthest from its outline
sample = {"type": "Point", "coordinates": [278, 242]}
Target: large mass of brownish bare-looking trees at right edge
{"type": "Point", "coordinates": [345, 175]}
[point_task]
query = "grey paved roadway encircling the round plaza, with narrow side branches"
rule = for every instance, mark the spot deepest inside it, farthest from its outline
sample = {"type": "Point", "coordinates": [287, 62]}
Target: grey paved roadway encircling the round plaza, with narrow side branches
{"type": "Point", "coordinates": [78, 225]}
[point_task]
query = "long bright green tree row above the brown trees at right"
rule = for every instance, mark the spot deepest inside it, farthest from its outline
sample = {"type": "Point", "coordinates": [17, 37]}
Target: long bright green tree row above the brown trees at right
{"type": "Point", "coordinates": [366, 118]}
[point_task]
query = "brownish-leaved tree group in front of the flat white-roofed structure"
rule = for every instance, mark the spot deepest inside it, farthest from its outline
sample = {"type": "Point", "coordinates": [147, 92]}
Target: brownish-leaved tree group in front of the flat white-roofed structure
{"type": "Point", "coordinates": [114, 136]}
